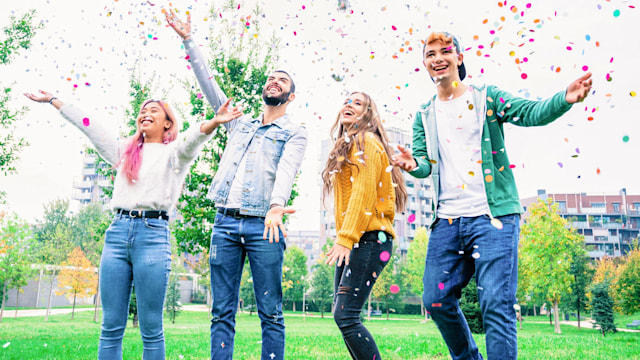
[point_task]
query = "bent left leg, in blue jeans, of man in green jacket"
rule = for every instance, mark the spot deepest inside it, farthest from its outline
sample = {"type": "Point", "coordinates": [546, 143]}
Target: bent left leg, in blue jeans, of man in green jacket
{"type": "Point", "coordinates": [447, 271]}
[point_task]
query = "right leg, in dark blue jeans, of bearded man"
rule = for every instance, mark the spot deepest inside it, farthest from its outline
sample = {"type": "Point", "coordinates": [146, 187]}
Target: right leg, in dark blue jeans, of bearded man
{"type": "Point", "coordinates": [266, 268]}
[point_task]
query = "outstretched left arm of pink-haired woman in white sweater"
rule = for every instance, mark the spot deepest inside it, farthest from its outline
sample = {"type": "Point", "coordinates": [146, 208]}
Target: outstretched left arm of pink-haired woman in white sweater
{"type": "Point", "coordinates": [104, 138]}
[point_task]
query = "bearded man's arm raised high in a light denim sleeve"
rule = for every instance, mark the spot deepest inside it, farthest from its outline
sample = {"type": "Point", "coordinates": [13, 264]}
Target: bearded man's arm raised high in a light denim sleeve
{"type": "Point", "coordinates": [215, 96]}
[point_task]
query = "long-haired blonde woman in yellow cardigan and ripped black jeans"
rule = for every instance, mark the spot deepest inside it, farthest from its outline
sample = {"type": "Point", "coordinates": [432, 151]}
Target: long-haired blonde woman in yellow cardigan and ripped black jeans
{"type": "Point", "coordinates": [367, 193]}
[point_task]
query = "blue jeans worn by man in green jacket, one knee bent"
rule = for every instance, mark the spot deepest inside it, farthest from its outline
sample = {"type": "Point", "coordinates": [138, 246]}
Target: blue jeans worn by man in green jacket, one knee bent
{"type": "Point", "coordinates": [457, 250]}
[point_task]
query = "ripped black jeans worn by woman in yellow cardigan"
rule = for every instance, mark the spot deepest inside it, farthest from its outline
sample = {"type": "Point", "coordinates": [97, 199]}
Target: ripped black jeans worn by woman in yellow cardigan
{"type": "Point", "coordinates": [352, 286]}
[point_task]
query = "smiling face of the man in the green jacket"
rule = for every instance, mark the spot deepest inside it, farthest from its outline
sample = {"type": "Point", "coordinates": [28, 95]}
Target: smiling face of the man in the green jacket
{"type": "Point", "coordinates": [442, 60]}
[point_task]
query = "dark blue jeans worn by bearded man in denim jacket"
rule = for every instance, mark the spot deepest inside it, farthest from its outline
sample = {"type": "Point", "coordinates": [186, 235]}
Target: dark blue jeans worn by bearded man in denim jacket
{"type": "Point", "coordinates": [232, 240]}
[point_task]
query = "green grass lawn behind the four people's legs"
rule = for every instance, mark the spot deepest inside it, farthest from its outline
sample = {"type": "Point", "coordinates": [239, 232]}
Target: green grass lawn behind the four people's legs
{"type": "Point", "coordinates": [313, 338]}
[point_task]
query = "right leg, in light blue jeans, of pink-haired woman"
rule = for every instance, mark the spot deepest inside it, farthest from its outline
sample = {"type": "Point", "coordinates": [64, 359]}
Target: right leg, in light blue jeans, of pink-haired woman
{"type": "Point", "coordinates": [151, 260]}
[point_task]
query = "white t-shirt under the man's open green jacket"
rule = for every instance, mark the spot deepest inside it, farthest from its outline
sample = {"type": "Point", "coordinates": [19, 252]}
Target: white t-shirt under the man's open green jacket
{"type": "Point", "coordinates": [459, 128]}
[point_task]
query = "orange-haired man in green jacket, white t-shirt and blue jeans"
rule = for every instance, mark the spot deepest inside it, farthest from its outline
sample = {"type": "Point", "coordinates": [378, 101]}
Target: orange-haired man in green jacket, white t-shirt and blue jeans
{"type": "Point", "coordinates": [458, 139]}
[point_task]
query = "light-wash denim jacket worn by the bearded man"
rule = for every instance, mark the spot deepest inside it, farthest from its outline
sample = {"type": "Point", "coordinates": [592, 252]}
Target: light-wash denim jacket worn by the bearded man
{"type": "Point", "coordinates": [274, 151]}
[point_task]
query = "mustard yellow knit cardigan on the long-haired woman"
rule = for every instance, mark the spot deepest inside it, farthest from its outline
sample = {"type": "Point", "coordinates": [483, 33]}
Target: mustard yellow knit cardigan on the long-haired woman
{"type": "Point", "coordinates": [364, 198]}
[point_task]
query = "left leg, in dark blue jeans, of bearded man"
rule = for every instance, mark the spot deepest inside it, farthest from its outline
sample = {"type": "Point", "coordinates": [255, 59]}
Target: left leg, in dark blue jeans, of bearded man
{"type": "Point", "coordinates": [226, 259]}
